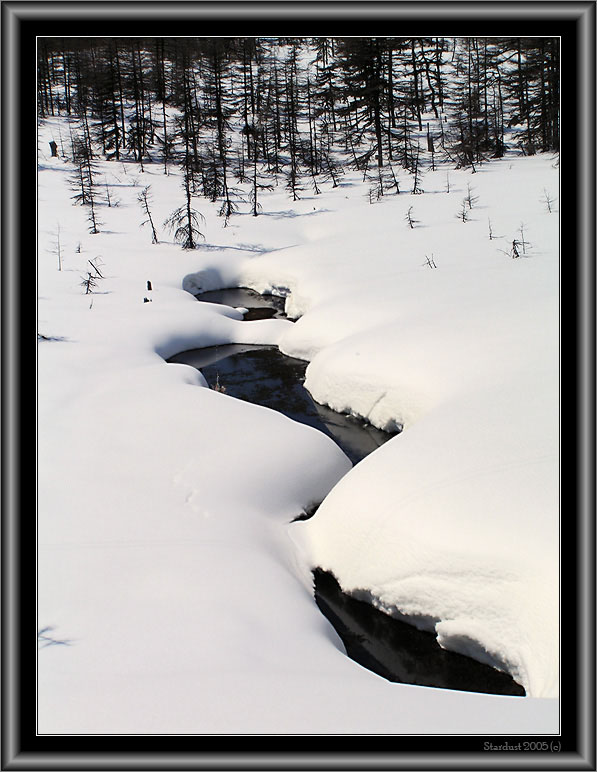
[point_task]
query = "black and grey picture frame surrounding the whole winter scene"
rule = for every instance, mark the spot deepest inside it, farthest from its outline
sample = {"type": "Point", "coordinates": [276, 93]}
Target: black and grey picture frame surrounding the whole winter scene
{"type": "Point", "coordinates": [22, 23]}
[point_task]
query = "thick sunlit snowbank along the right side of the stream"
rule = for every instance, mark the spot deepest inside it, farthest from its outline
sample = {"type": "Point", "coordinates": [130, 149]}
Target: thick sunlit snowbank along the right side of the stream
{"type": "Point", "coordinates": [457, 518]}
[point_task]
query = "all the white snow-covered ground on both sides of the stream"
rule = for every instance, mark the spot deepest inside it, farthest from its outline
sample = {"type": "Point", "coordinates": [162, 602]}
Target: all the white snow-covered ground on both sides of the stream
{"type": "Point", "coordinates": [167, 556]}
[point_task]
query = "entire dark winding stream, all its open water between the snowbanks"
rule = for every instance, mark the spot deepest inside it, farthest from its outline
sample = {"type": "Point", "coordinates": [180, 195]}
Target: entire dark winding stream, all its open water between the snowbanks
{"type": "Point", "coordinates": [391, 648]}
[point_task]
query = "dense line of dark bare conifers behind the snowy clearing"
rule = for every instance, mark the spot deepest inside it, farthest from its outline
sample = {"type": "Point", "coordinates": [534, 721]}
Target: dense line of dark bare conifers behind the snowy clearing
{"type": "Point", "coordinates": [257, 110]}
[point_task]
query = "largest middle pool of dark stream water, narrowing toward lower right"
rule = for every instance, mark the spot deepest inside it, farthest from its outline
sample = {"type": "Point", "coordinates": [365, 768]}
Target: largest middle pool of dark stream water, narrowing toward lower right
{"type": "Point", "coordinates": [264, 376]}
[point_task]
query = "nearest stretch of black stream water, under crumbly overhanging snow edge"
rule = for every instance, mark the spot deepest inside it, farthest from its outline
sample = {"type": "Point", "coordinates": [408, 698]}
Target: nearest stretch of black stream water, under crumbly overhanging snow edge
{"type": "Point", "coordinates": [399, 651]}
